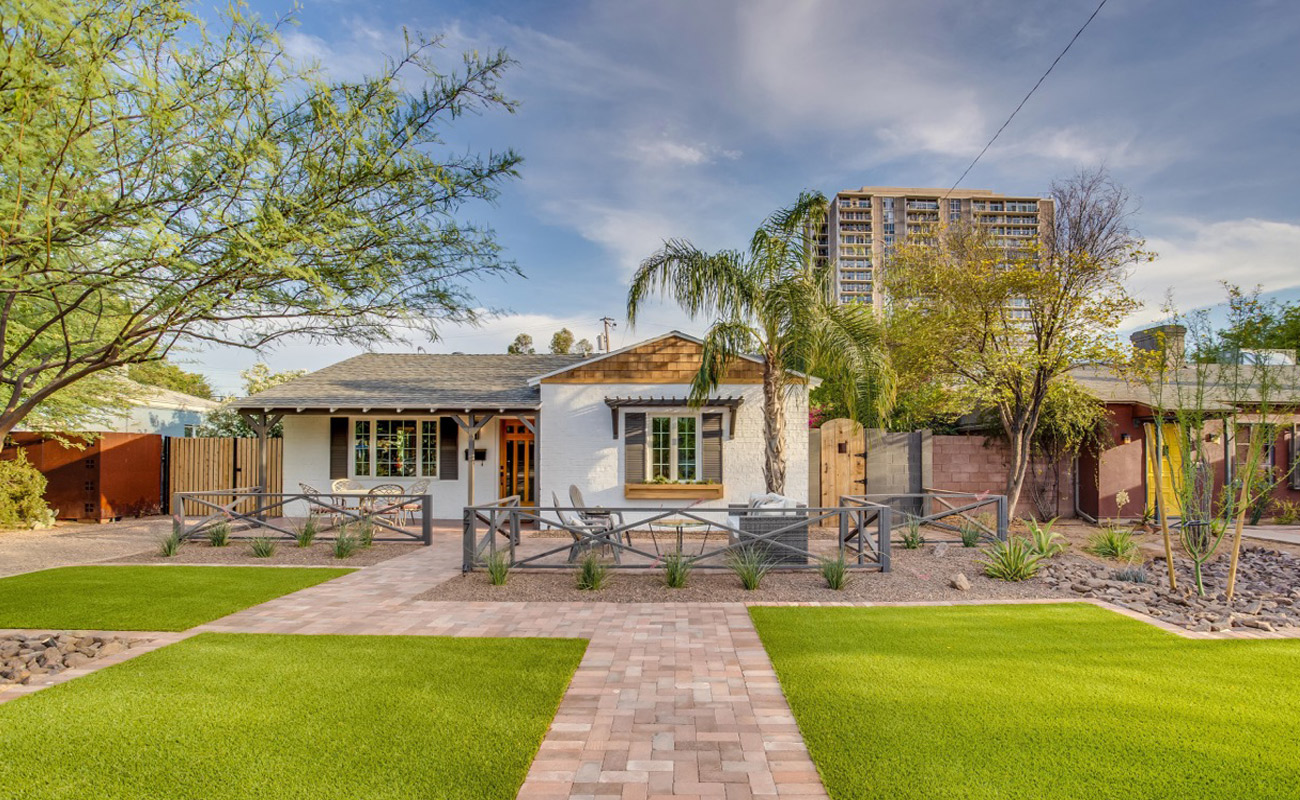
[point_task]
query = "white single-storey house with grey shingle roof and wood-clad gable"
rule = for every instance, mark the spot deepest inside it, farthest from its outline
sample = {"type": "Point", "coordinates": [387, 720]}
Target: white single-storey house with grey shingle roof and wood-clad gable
{"type": "Point", "coordinates": [613, 425]}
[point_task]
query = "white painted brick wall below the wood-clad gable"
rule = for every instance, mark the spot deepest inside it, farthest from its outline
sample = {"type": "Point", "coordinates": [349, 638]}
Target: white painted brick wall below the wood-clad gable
{"type": "Point", "coordinates": [578, 444]}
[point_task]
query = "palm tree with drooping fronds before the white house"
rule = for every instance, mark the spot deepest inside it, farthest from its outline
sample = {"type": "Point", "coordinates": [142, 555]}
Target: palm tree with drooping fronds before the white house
{"type": "Point", "coordinates": [777, 301]}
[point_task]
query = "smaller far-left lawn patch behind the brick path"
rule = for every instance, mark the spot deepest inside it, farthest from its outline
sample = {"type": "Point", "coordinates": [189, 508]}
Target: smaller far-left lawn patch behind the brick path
{"type": "Point", "coordinates": [145, 599]}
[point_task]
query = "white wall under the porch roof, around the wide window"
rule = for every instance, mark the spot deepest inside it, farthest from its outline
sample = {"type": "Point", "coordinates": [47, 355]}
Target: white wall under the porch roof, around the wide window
{"type": "Point", "coordinates": [307, 461]}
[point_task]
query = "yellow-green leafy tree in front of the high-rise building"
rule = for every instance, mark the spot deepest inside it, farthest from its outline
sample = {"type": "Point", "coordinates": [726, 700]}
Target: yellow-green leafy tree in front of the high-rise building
{"type": "Point", "coordinates": [1002, 325]}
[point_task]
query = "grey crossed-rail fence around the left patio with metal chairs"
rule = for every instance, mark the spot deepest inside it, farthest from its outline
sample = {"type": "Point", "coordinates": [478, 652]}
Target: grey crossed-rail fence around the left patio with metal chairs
{"type": "Point", "coordinates": [252, 509]}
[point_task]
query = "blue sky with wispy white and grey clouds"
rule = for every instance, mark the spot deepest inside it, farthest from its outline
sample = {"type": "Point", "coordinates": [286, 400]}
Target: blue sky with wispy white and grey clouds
{"type": "Point", "coordinates": [645, 120]}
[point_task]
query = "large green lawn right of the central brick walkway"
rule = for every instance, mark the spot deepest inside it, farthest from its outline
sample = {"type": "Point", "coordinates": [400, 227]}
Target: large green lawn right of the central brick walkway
{"type": "Point", "coordinates": [1034, 702]}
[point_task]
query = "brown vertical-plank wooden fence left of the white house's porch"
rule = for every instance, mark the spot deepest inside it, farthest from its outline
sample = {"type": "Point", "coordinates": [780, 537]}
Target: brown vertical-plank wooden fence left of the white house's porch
{"type": "Point", "coordinates": [222, 465]}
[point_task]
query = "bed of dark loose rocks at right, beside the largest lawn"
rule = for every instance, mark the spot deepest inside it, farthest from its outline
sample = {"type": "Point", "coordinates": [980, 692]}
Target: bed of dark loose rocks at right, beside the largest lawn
{"type": "Point", "coordinates": [1267, 596]}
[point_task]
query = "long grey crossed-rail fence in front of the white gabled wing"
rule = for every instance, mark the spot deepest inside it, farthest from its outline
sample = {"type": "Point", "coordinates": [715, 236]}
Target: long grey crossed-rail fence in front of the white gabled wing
{"type": "Point", "coordinates": [535, 538]}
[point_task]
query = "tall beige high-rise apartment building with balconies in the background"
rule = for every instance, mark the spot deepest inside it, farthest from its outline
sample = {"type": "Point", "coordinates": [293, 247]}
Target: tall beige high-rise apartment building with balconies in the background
{"type": "Point", "coordinates": [865, 223]}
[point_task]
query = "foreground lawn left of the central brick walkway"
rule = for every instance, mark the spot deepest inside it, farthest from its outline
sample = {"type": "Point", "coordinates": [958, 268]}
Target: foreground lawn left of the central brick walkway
{"type": "Point", "coordinates": [249, 716]}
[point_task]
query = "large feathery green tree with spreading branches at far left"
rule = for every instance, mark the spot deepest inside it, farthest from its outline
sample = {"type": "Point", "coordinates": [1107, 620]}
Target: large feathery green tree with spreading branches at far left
{"type": "Point", "coordinates": [163, 184]}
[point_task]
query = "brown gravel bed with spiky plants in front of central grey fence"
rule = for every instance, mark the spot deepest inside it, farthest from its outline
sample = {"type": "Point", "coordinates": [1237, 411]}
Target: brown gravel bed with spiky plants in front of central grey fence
{"type": "Point", "coordinates": [917, 576]}
